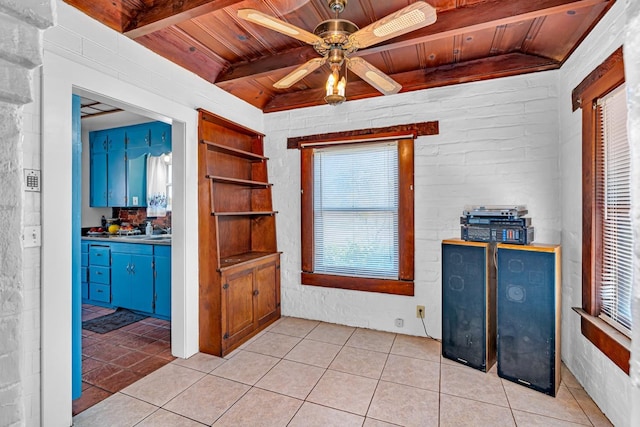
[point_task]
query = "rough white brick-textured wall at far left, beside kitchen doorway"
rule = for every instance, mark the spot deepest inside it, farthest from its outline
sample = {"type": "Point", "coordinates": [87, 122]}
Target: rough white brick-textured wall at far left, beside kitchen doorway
{"type": "Point", "coordinates": [21, 26]}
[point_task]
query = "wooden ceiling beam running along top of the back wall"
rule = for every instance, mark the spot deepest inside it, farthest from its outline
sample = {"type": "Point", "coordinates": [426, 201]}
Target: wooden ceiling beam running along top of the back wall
{"type": "Point", "coordinates": [464, 72]}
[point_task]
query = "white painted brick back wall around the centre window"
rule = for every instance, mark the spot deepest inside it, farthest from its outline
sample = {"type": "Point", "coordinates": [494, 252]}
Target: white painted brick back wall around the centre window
{"type": "Point", "coordinates": [498, 144]}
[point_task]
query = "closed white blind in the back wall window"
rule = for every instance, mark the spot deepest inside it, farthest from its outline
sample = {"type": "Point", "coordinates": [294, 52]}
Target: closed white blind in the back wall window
{"type": "Point", "coordinates": [356, 210]}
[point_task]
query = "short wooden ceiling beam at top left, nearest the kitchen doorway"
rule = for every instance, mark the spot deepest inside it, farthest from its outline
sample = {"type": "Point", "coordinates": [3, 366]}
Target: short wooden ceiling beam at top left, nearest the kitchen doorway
{"type": "Point", "coordinates": [170, 13]}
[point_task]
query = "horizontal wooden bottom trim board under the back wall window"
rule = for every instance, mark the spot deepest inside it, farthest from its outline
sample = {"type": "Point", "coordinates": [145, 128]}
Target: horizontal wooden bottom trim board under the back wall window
{"type": "Point", "coordinates": [386, 286]}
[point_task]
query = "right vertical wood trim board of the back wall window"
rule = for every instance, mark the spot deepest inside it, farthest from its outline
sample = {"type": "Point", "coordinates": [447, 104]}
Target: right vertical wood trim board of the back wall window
{"type": "Point", "coordinates": [406, 212]}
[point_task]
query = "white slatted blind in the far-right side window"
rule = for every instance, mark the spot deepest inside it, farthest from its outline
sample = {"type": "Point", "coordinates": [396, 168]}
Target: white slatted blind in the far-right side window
{"type": "Point", "coordinates": [614, 200]}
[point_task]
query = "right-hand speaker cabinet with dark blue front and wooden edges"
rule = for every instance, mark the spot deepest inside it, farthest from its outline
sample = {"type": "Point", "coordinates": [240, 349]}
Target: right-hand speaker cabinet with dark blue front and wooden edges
{"type": "Point", "coordinates": [529, 315]}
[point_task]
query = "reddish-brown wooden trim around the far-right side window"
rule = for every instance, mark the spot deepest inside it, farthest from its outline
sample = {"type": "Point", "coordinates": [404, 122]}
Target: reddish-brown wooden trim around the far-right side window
{"type": "Point", "coordinates": [604, 79]}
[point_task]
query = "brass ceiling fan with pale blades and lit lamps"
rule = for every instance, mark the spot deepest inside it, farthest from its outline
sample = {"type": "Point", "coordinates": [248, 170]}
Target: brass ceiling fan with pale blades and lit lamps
{"type": "Point", "coordinates": [336, 39]}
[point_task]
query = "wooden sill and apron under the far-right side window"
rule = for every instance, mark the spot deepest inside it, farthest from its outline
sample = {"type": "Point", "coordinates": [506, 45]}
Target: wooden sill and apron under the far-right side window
{"type": "Point", "coordinates": [613, 343]}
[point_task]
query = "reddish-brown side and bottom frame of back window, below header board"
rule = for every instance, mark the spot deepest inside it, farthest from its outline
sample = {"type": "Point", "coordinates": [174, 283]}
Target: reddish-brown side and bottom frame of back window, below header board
{"type": "Point", "coordinates": [404, 285]}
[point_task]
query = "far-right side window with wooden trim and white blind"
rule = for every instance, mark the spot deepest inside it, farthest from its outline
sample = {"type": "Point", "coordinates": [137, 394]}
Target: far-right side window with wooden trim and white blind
{"type": "Point", "coordinates": [606, 224]}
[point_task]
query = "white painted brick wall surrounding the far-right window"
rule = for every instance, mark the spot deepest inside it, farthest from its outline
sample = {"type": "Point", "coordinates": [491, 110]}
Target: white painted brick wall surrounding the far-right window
{"type": "Point", "coordinates": [599, 376]}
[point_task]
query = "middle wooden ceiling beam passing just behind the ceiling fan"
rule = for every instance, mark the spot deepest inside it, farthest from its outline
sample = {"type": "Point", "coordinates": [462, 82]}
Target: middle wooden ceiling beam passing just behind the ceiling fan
{"type": "Point", "coordinates": [449, 24]}
